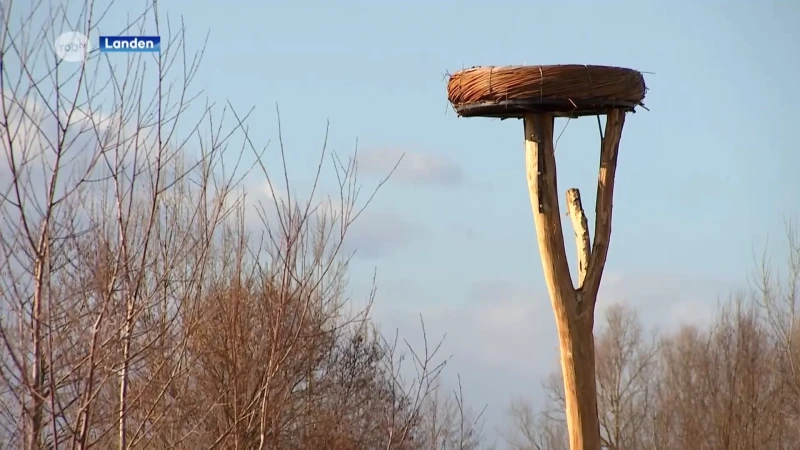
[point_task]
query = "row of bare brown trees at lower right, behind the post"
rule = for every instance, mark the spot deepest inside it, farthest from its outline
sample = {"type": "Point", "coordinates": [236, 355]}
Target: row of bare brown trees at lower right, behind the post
{"type": "Point", "coordinates": [723, 387]}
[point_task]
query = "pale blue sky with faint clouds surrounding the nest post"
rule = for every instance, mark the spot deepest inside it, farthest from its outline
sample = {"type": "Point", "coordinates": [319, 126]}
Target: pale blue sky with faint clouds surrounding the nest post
{"type": "Point", "coordinates": [705, 180]}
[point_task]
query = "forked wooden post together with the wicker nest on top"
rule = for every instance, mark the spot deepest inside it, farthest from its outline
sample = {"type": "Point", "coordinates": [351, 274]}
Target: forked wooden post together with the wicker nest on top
{"type": "Point", "coordinates": [537, 94]}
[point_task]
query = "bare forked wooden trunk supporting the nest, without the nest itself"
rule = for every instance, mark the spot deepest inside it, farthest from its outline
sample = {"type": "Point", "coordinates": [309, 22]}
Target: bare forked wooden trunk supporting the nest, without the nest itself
{"type": "Point", "coordinates": [573, 307]}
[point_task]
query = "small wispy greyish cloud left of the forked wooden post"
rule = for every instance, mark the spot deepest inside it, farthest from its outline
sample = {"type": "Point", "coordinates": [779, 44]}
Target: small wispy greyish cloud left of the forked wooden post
{"type": "Point", "coordinates": [415, 167]}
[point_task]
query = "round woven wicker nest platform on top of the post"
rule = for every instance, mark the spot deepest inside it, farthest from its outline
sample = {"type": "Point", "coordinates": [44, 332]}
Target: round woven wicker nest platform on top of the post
{"type": "Point", "coordinates": [565, 90]}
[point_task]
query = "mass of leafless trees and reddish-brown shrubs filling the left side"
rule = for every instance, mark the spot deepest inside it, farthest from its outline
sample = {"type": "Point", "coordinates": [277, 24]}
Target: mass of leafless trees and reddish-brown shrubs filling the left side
{"type": "Point", "coordinates": [139, 308]}
